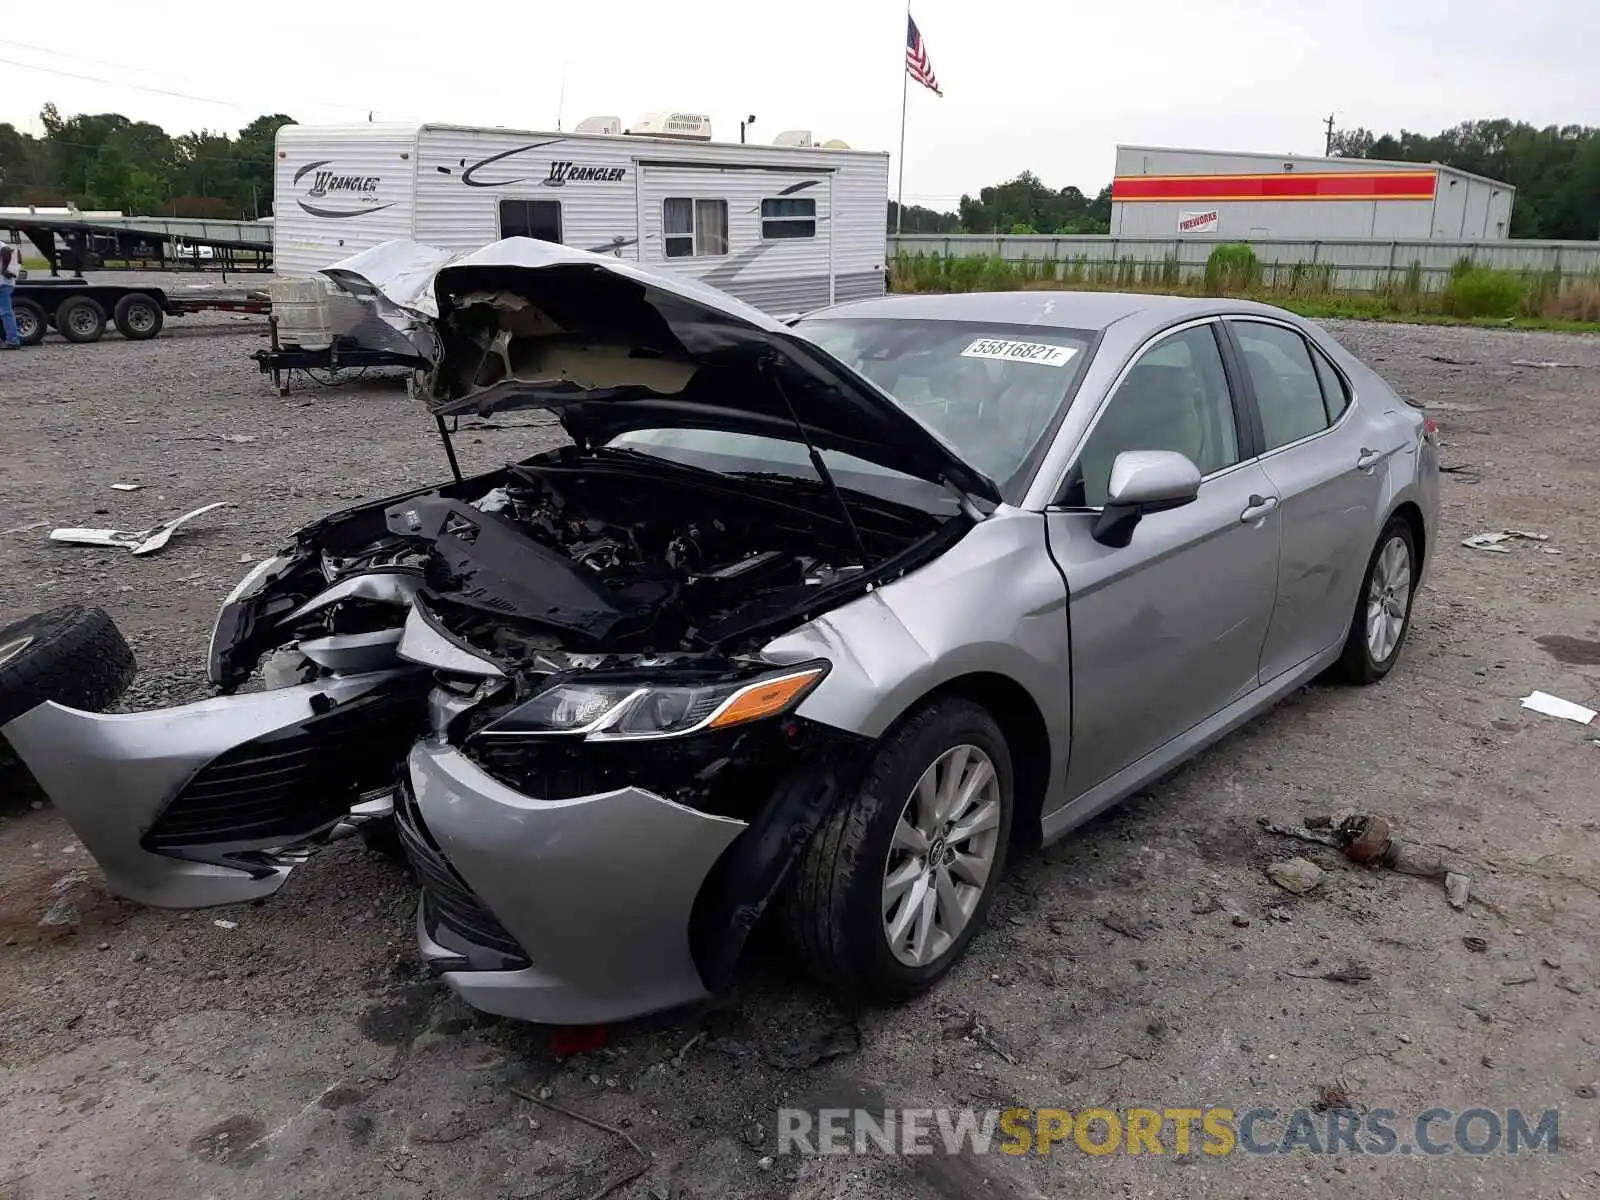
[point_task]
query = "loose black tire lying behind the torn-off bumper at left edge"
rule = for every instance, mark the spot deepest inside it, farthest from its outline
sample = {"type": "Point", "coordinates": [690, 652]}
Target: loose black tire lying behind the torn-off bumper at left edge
{"type": "Point", "coordinates": [73, 655]}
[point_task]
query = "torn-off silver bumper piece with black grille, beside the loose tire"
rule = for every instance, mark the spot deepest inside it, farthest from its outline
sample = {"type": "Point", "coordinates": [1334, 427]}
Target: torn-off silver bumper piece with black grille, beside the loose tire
{"type": "Point", "coordinates": [182, 807]}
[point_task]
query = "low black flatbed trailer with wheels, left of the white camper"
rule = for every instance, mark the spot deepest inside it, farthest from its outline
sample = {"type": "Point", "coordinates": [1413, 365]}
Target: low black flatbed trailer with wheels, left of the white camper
{"type": "Point", "coordinates": [81, 311]}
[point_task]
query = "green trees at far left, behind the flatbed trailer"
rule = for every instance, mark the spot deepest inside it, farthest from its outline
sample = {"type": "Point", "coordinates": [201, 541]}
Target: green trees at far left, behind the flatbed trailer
{"type": "Point", "coordinates": [106, 161]}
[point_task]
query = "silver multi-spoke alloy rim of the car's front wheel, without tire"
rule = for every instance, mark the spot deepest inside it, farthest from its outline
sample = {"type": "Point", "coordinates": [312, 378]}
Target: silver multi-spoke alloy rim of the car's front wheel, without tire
{"type": "Point", "coordinates": [942, 855]}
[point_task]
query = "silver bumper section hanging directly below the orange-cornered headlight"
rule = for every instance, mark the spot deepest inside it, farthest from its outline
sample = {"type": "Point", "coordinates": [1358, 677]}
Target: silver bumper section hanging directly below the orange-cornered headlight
{"type": "Point", "coordinates": [558, 911]}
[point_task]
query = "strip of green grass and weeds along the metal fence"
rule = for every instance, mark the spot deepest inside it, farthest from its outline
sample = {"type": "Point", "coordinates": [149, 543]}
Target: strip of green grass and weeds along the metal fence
{"type": "Point", "coordinates": [1473, 297]}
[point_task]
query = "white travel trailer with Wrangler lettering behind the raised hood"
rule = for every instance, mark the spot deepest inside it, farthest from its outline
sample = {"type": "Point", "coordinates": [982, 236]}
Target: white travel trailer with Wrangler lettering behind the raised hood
{"type": "Point", "coordinates": [786, 228]}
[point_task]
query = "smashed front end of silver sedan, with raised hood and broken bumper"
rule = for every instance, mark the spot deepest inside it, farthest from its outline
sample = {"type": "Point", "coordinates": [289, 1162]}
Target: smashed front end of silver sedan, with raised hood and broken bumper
{"type": "Point", "coordinates": [558, 670]}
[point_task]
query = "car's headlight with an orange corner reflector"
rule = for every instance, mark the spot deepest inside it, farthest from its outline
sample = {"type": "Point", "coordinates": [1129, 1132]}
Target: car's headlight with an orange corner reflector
{"type": "Point", "coordinates": [634, 711]}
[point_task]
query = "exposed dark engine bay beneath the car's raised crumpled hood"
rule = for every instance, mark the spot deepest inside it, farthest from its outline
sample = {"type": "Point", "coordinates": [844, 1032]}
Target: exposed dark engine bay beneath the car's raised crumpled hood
{"type": "Point", "coordinates": [588, 553]}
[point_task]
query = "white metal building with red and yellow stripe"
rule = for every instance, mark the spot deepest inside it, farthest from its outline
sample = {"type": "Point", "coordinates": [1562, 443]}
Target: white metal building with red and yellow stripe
{"type": "Point", "coordinates": [1166, 193]}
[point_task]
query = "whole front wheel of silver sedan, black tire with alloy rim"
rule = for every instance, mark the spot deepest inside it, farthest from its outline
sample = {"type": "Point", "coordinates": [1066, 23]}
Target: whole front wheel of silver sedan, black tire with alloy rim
{"type": "Point", "coordinates": [898, 879]}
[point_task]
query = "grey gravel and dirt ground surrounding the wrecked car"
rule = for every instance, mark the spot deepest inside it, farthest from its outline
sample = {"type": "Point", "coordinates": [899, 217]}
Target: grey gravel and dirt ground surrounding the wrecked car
{"type": "Point", "coordinates": [1146, 961]}
